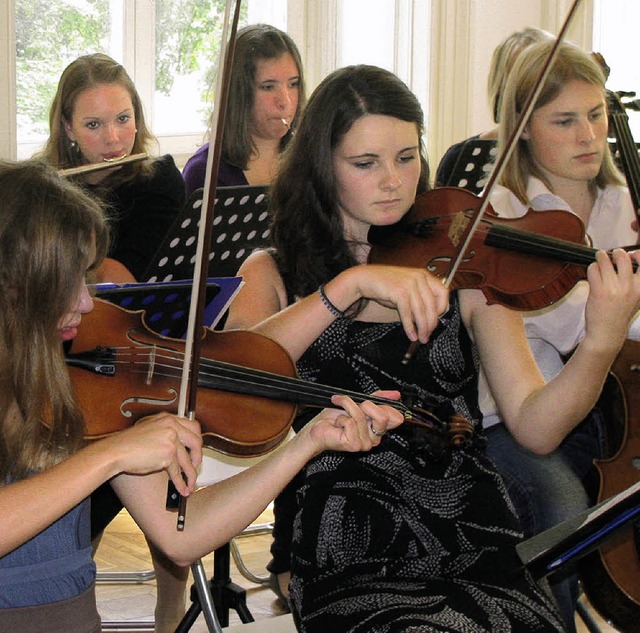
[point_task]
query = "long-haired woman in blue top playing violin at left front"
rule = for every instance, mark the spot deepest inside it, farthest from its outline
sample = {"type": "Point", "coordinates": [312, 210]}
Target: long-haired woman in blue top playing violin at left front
{"type": "Point", "coordinates": [52, 236]}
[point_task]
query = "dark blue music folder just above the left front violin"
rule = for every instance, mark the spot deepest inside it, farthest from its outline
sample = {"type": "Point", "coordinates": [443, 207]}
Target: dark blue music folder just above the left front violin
{"type": "Point", "coordinates": [166, 305]}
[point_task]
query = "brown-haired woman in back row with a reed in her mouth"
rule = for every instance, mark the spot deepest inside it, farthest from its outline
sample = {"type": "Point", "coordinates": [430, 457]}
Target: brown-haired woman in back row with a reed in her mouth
{"type": "Point", "coordinates": [266, 93]}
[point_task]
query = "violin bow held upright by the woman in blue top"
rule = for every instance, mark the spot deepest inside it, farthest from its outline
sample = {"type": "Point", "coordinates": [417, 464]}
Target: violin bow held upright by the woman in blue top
{"type": "Point", "coordinates": [193, 346]}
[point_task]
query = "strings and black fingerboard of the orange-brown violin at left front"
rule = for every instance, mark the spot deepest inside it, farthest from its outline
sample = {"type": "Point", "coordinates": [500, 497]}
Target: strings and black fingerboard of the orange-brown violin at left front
{"type": "Point", "coordinates": [167, 363]}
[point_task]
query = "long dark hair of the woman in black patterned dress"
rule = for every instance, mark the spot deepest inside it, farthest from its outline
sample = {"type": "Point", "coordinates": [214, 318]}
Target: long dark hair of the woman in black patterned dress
{"type": "Point", "coordinates": [307, 229]}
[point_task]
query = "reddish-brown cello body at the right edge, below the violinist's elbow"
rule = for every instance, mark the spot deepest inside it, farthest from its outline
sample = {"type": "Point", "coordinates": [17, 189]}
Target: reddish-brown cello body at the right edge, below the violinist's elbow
{"type": "Point", "coordinates": [611, 574]}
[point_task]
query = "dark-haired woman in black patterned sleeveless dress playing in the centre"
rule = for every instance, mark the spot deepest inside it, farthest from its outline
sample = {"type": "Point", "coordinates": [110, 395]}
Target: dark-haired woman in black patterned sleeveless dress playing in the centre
{"type": "Point", "coordinates": [408, 537]}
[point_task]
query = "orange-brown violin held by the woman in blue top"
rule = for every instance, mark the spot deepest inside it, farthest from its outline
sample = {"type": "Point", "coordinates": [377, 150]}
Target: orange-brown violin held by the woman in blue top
{"type": "Point", "coordinates": [248, 391]}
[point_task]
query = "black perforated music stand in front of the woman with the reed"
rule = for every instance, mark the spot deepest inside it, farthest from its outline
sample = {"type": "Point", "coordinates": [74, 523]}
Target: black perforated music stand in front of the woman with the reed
{"type": "Point", "coordinates": [240, 225]}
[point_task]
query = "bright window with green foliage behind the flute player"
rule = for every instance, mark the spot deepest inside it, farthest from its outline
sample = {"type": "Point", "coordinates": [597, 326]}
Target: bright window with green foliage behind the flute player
{"type": "Point", "coordinates": [169, 47]}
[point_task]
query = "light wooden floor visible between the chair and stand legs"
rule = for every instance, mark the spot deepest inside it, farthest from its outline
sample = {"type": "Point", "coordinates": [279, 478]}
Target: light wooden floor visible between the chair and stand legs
{"type": "Point", "coordinates": [123, 548]}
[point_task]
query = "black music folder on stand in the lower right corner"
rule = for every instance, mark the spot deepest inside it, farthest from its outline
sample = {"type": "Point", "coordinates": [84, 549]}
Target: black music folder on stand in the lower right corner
{"type": "Point", "coordinates": [570, 540]}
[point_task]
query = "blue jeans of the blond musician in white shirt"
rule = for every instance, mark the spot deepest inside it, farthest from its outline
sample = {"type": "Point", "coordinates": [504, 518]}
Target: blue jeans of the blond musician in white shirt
{"type": "Point", "coordinates": [546, 490]}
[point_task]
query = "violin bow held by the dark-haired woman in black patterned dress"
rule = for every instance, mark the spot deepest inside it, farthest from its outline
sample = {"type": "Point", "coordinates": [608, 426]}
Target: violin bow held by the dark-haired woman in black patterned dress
{"type": "Point", "coordinates": [510, 146]}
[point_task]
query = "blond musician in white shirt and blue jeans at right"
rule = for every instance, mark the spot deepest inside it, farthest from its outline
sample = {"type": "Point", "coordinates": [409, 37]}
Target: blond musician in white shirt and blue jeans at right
{"type": "Point", "coordinates": [561, 162]}
